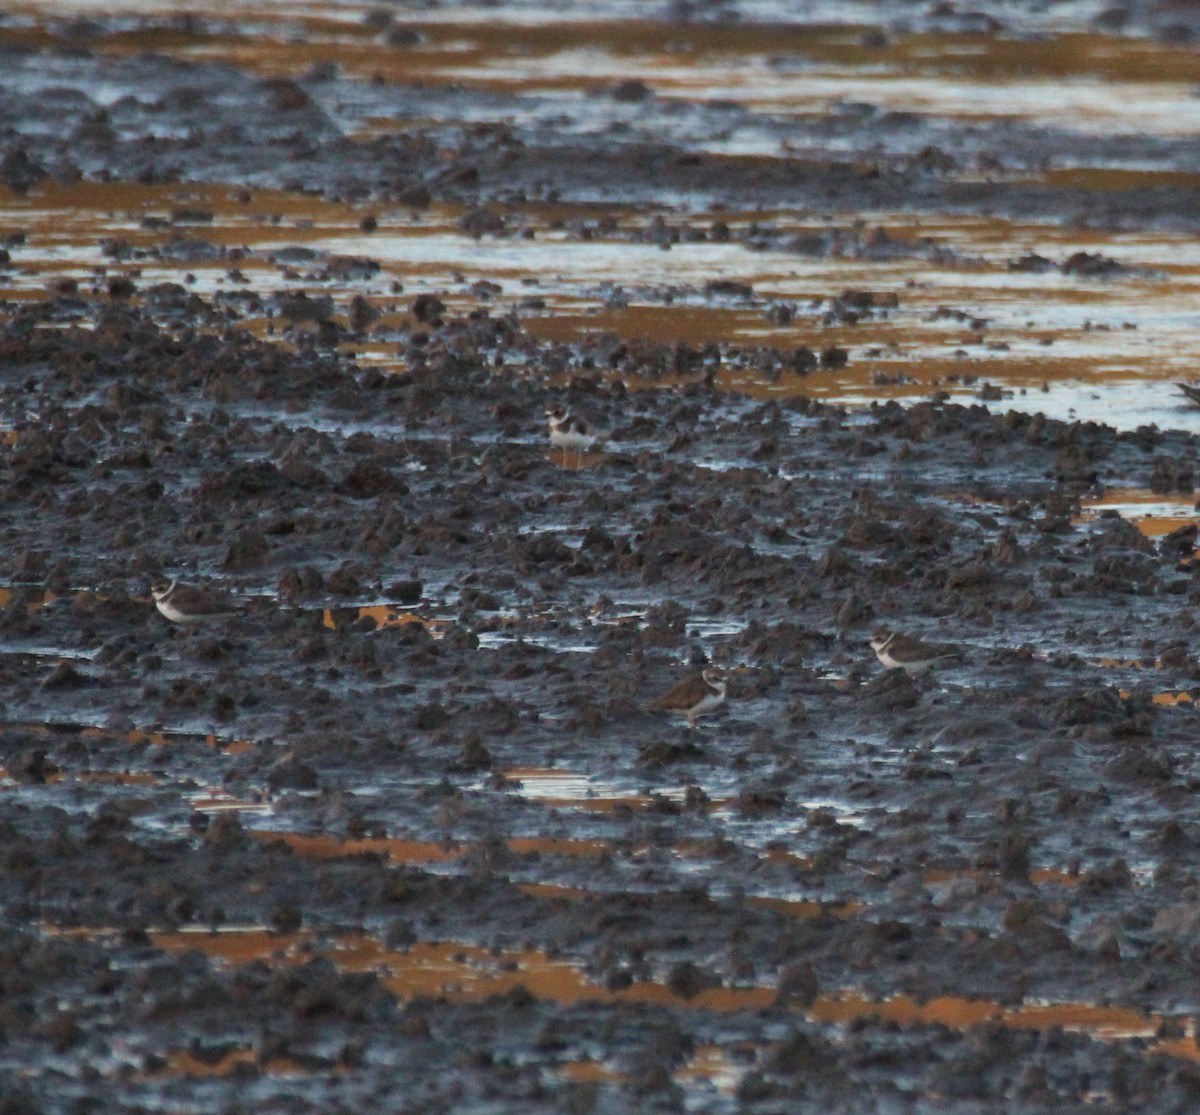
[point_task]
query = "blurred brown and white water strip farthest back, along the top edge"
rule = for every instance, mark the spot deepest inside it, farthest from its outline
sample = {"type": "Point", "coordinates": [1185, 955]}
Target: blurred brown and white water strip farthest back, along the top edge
{"type": "Point", "coordinates": [754, 73]}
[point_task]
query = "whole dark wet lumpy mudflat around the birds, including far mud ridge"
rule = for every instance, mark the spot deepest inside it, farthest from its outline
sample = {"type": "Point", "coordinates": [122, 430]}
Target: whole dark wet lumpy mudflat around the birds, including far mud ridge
{"type": "Point", "coordinates": [403, 830]}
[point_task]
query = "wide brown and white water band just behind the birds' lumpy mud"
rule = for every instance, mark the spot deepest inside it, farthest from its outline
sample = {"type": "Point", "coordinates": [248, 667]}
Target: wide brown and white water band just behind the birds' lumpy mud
{"type": "Point", "coordinates": [1049, 341]}
